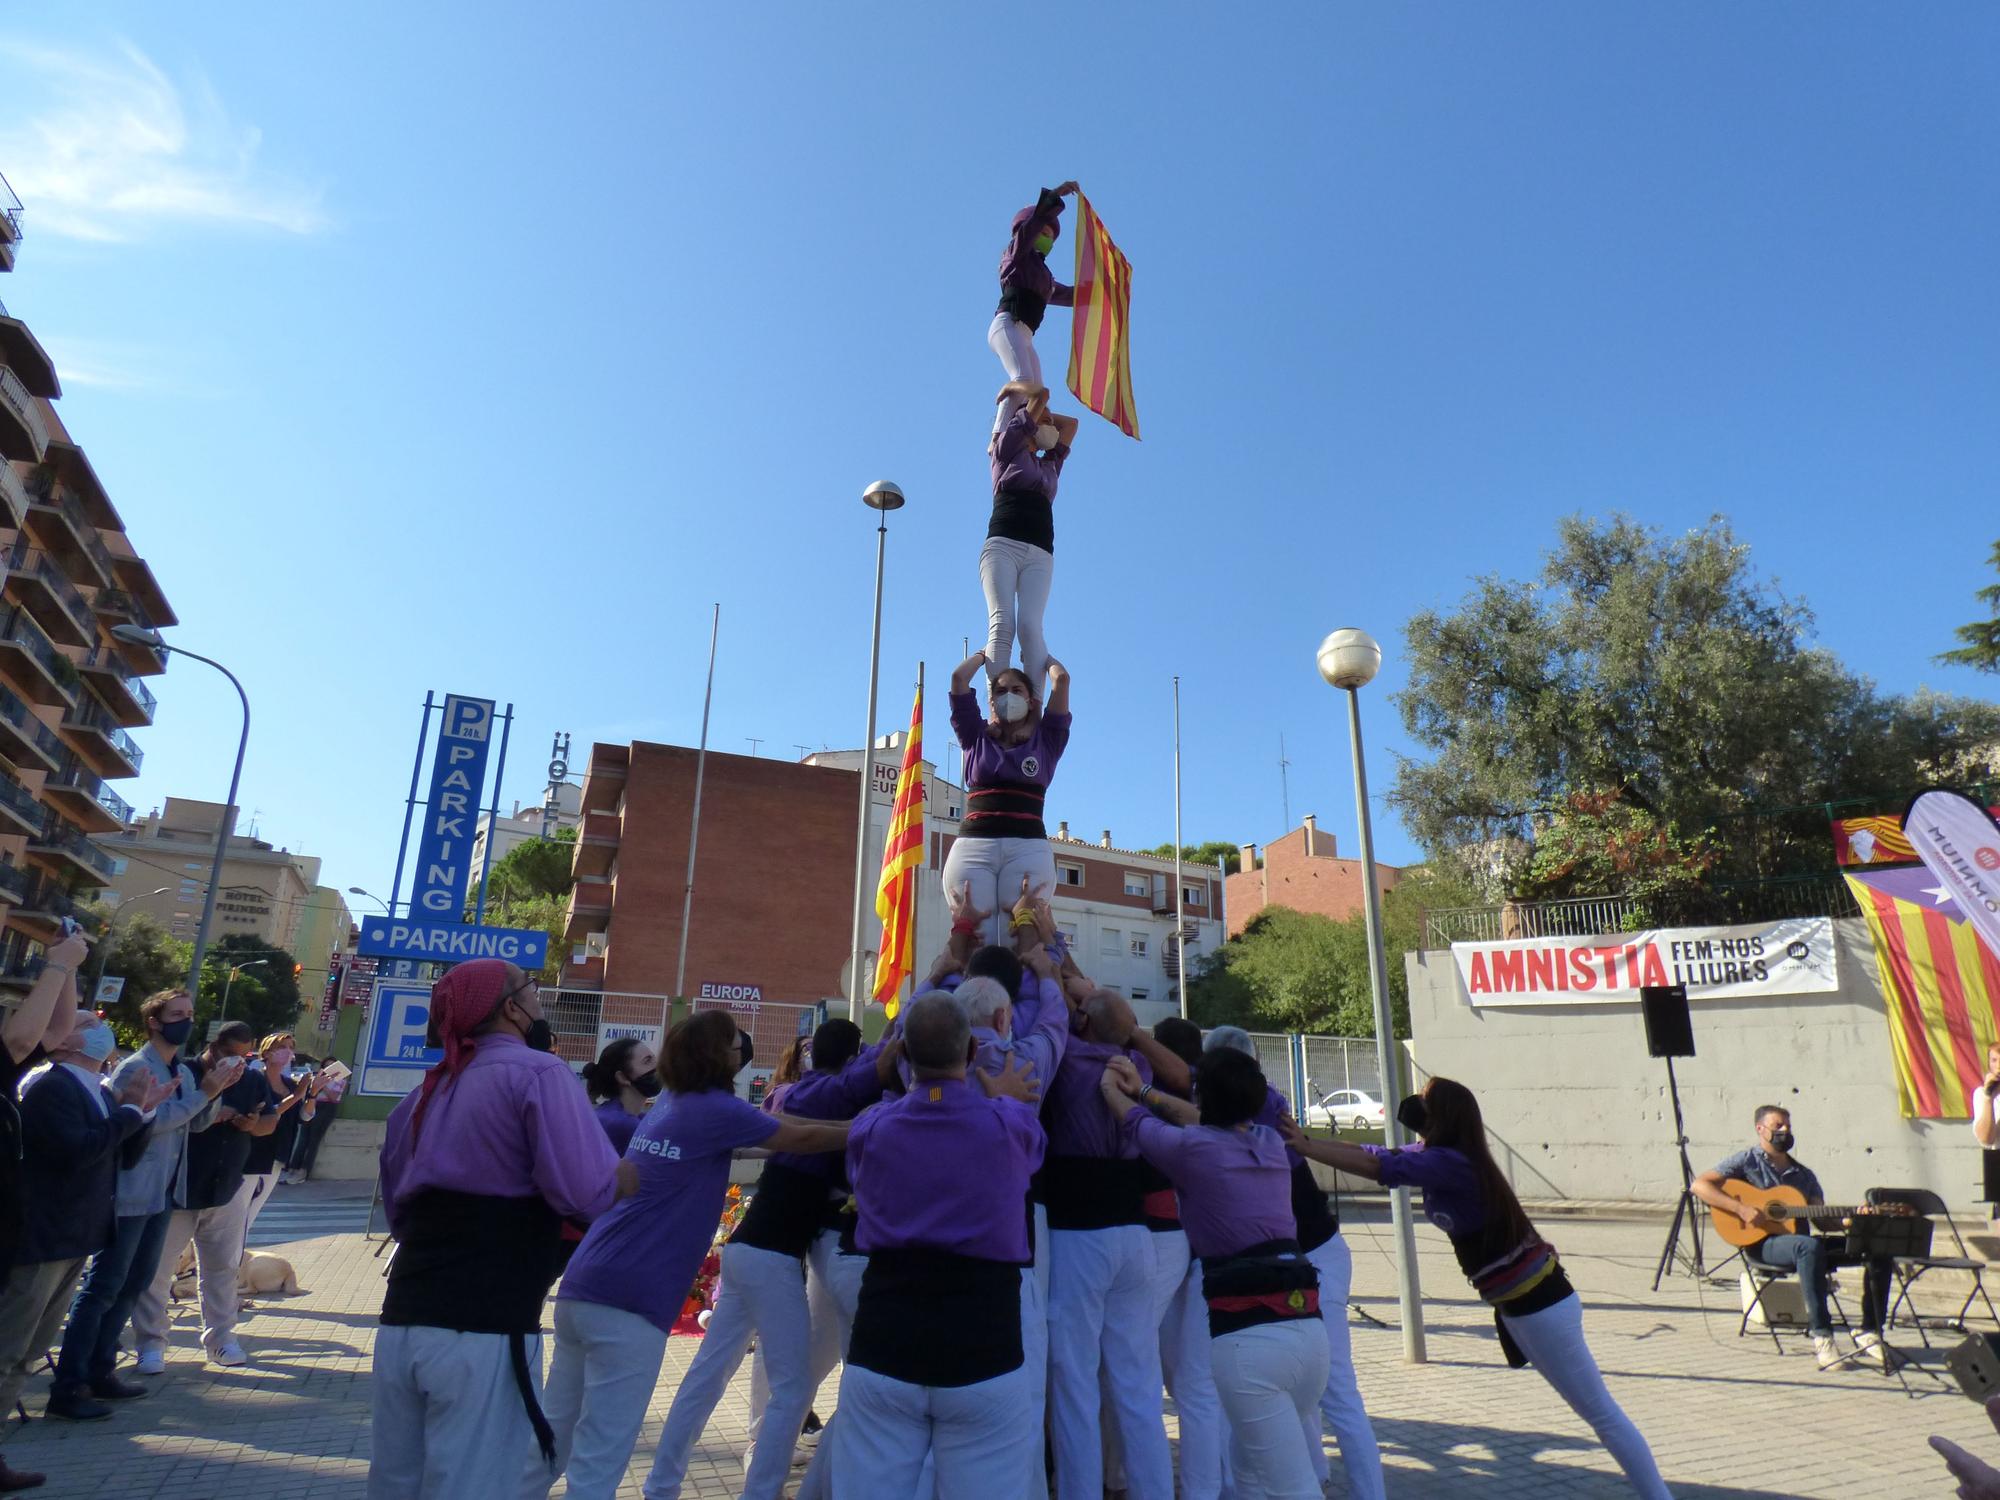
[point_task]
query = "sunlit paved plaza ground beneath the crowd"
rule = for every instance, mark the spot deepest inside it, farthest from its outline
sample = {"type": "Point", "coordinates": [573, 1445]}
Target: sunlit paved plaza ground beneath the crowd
{"type": "Point", "coordinates": [1727, 1417]}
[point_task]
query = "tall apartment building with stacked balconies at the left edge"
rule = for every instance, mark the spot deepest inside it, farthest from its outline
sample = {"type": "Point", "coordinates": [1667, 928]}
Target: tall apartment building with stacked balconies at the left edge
{"type": "Point", "coordinates": [69, 691]}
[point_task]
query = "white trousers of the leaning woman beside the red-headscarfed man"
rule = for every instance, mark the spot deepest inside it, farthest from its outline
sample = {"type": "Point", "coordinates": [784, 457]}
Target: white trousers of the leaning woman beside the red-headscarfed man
{"type": "Point", "coordinates": [597, 1395]}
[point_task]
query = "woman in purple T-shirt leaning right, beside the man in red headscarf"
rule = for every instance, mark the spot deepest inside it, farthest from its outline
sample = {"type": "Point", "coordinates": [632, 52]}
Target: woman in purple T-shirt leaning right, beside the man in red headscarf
{"type": "Point", "coordinates": [631, 1277]}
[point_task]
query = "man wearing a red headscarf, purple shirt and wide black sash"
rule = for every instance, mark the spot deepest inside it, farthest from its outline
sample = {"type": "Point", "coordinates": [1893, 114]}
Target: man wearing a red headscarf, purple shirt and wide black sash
{"type": "Point", "coordinates": [479, 1169]}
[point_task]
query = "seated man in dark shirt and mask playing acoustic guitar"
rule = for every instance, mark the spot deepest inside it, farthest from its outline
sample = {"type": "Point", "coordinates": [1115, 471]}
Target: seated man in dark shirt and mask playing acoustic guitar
{"type": "Point", "coordinates": [1771, 1165]}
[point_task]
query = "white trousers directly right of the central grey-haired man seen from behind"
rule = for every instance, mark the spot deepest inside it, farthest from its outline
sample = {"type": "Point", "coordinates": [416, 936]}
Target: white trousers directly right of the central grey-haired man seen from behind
{"type": "Point", "coordinates": [1103, 1313]}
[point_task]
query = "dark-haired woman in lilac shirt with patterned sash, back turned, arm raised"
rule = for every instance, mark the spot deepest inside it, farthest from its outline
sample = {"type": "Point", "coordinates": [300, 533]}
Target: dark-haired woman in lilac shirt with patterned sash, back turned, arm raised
{"type": "Point", "coordinates": [1235, 1183]}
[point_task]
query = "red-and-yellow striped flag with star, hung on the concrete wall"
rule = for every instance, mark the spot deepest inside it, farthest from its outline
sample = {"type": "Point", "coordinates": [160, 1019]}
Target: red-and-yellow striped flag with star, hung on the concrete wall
{"type": "Point", "coordinates": [1943, 989]}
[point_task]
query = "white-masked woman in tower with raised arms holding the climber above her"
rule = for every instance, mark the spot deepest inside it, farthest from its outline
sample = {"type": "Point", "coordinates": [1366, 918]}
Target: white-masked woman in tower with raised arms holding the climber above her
{"type": "Point", "coordinates": [1011, 761]}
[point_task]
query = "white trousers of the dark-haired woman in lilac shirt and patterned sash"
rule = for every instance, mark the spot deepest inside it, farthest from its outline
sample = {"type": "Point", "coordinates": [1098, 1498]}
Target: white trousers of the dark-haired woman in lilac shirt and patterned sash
{"type": "Point", "coordinates": [1271, 1379]}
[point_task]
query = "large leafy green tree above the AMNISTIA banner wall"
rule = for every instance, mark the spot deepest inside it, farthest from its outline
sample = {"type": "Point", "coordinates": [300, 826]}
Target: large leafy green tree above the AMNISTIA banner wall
{"type": "Point", "coordinates": [1665, 675]}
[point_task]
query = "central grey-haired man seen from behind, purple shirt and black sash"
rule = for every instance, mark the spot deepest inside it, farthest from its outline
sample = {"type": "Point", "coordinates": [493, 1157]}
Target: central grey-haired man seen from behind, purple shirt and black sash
{"type": "Point", "coordinates": [937, 1363]}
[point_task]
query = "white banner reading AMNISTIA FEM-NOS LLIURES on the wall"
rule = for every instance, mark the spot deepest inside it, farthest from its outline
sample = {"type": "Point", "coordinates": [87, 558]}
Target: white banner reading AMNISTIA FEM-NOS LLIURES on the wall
{"type": "Point", "coordinates": [1791, 957]}
